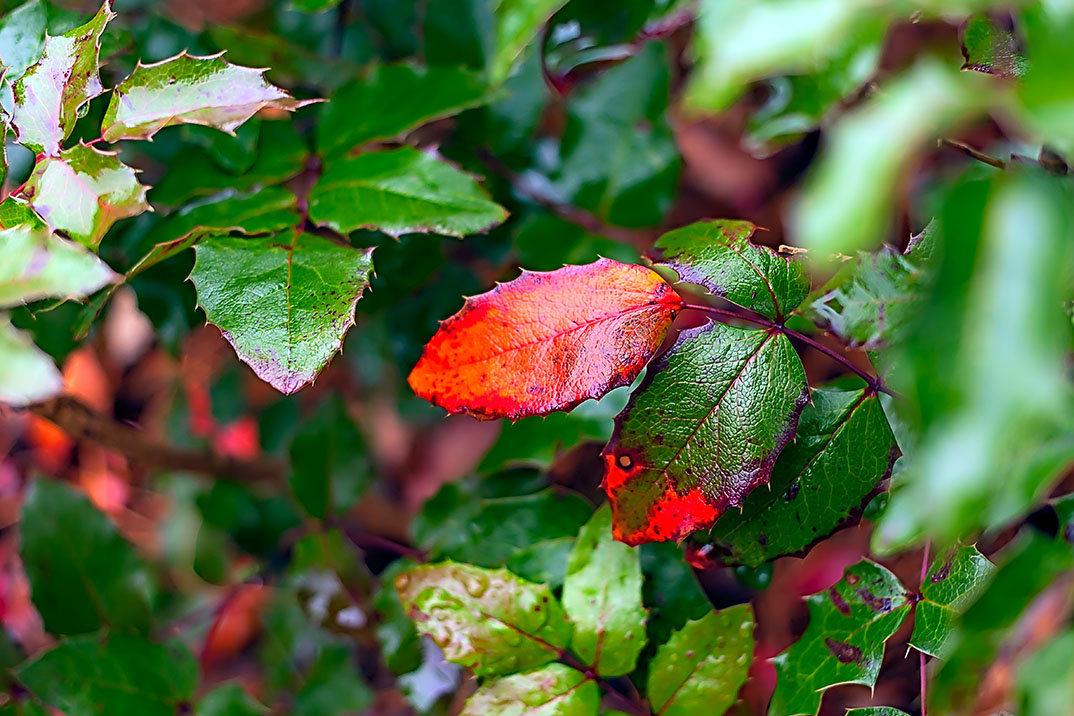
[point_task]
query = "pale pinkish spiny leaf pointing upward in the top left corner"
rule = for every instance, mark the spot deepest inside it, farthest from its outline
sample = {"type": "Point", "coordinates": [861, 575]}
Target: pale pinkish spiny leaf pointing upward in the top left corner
{"type": "Point", "coordinates": [52, 92]}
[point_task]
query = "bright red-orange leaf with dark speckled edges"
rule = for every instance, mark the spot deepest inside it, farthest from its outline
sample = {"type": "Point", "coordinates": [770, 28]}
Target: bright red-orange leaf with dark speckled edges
{"type": "Point", "coordinates": [548, 341]}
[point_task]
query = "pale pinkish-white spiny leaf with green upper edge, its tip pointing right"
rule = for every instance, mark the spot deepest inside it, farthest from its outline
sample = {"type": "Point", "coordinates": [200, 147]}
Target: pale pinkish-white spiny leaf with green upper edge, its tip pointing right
{"type": "Point", "coordinates": [191, 91]}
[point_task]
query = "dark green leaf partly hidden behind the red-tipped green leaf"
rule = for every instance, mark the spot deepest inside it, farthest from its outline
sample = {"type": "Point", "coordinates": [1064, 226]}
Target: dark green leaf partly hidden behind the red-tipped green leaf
{"type": "Point", "coordinates": [843, 450]}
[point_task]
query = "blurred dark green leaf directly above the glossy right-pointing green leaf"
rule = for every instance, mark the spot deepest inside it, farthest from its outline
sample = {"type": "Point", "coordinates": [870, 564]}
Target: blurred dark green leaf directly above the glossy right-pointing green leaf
{"type": "Point", "coordinates": [390, 100]}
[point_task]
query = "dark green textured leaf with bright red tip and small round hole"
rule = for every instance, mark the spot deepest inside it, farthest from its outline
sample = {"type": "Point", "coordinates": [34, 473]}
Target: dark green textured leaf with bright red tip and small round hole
{"type": "Point", "coordinates": [703, 431]}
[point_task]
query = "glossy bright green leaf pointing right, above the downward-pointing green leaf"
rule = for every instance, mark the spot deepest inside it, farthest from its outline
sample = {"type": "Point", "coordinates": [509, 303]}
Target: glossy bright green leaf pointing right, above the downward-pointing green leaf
{"type": "Point", "coordinates": [402, 192]}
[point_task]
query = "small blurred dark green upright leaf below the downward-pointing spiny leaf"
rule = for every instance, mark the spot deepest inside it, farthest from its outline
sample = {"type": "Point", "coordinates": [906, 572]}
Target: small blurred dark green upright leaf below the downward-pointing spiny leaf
{"type": "Point", "coordinates": [329, 466]}
